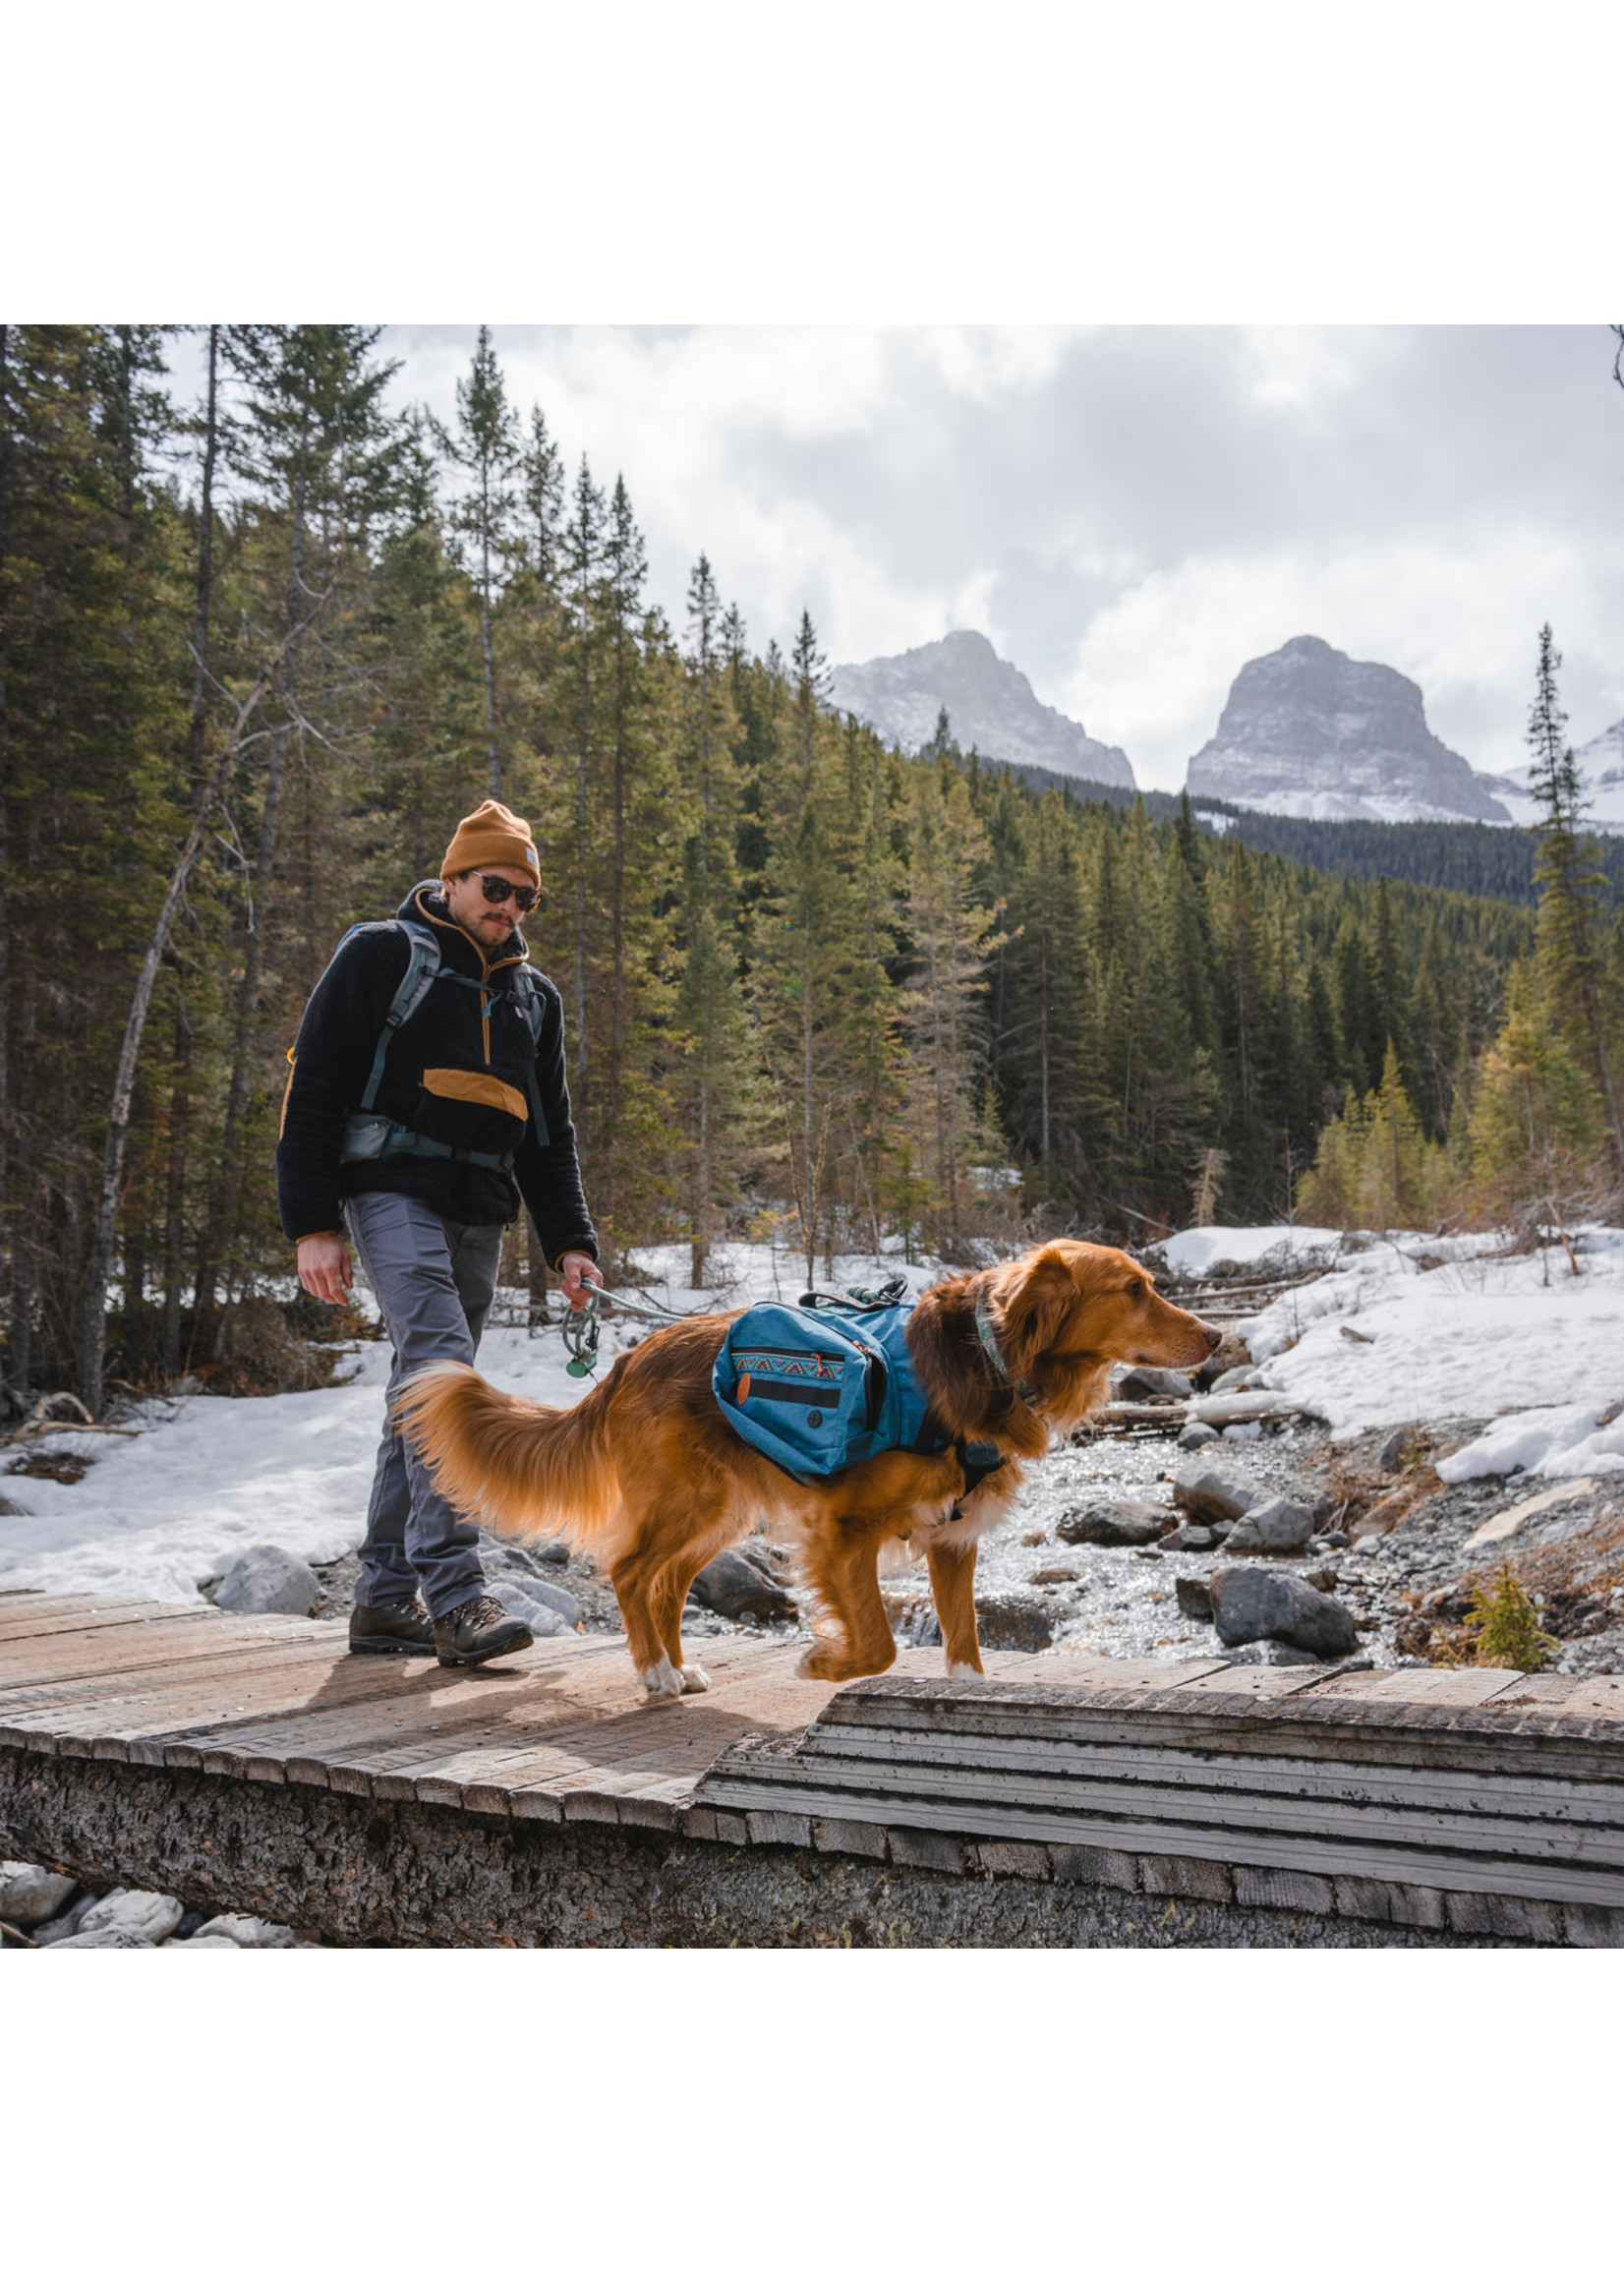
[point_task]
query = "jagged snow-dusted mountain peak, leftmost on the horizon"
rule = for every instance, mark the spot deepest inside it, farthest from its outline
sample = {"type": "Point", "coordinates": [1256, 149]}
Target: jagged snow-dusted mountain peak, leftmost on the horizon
{"type": "Point", "coordinates": [991, 704]}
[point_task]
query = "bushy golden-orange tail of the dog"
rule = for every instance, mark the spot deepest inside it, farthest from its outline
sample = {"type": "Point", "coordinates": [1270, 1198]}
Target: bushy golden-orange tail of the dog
{"type": "Point", "coordinates": [511, 1463]}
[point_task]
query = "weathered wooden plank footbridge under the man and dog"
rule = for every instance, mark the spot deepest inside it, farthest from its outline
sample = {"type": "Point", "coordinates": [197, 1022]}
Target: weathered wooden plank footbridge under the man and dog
{"type": "Point", "coordinates": [1466, 1802]}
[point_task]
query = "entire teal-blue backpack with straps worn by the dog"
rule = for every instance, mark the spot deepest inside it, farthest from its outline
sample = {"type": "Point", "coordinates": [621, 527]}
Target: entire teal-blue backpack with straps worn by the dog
{"type": "Point", "coordinates": [829, 1384]}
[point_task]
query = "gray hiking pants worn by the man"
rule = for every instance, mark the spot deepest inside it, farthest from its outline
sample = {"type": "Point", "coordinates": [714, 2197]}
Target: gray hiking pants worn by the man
{"type": "Point", "coordinates": [433, 1286]}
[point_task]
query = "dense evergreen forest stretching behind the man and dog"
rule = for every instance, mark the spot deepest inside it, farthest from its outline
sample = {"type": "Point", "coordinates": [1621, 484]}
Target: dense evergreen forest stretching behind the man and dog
{"type": "Point", "coordinates": [260, 654]}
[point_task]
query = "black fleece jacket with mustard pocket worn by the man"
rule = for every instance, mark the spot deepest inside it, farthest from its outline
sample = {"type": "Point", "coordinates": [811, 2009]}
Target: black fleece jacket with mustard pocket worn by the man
{"type": "Point", "coordinates": [451, 1072]}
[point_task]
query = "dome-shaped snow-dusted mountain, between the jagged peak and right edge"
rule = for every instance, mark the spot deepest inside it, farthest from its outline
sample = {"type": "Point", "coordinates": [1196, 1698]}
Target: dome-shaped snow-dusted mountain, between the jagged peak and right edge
{"type": "Point", "coordinates": [1318, 736]}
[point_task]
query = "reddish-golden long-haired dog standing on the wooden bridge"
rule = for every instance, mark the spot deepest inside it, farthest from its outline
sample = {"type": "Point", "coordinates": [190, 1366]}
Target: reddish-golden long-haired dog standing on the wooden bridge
{"type": "Point", "coordinates": [649, 1472]}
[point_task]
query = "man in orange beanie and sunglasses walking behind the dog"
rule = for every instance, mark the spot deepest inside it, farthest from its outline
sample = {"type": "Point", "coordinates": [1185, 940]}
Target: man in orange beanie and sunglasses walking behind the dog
{"type": "Point", "coordinates": [420, 1111]}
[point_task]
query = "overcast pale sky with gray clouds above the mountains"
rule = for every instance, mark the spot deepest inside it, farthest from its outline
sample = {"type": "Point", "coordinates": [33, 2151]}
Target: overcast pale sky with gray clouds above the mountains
{"type": "Point", "coordinates": [1127, 513]}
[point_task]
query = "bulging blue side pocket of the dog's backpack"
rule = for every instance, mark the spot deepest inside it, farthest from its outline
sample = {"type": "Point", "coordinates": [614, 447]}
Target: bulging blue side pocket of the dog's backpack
{"type": "Point", "coordinates": [804, 1388]}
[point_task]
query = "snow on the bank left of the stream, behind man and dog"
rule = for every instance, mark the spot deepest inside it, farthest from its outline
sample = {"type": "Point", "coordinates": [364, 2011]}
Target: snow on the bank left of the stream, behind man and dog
{"type": "Point", "coordinates": [208, 1477]}
